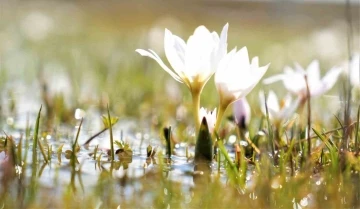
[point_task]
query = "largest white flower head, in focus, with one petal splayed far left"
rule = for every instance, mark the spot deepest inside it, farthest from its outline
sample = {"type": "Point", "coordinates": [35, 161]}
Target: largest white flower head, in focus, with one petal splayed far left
{"type": "Point", "coordinates": [194, 62]}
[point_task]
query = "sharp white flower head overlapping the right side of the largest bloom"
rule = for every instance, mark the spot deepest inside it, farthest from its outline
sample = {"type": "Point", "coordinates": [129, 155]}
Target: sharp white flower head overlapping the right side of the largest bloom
{"type": "Point", "coordinates": [236, 76]}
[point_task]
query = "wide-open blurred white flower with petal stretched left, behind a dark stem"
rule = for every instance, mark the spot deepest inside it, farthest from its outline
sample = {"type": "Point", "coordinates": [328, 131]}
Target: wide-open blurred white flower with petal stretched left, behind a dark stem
{"type": "Point", "coordinates": [294, 79]}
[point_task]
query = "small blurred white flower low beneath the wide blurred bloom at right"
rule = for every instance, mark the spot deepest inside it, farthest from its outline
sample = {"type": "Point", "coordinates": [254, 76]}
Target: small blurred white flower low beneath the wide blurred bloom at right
{"type": "Point", "coordinates": [276, 111]}
